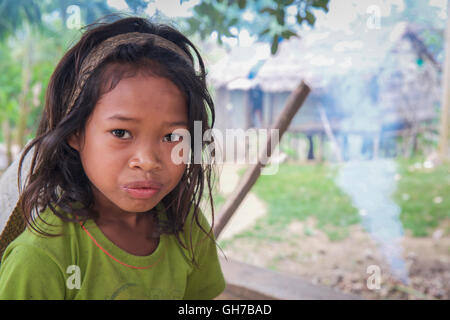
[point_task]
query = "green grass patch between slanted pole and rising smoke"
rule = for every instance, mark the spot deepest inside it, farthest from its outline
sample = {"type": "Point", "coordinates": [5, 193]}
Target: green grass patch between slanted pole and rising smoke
{"type": "Point", "coordinates": [297, 192]}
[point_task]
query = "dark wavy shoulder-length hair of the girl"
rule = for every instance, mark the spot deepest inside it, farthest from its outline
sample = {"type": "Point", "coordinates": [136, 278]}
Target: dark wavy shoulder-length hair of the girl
{"type": "Point", "coordinates": [56, 175]}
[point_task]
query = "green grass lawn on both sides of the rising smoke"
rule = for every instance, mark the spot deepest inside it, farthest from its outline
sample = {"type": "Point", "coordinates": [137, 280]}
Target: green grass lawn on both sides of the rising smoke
{"type": "Point", "coordinates": [297, 192]}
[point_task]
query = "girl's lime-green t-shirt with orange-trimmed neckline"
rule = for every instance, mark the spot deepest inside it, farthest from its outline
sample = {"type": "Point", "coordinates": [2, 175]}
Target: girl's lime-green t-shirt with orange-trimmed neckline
{"type": "Point", "coordinates": [73, 266]}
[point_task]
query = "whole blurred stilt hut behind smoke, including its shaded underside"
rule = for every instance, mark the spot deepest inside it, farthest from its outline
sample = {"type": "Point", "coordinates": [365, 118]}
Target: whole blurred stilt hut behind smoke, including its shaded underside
{"type": "Point", "coordinates": [367, 100]}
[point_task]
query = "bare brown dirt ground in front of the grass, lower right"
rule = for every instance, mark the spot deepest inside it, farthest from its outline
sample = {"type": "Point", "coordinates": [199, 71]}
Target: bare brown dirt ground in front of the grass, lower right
{"type": "Point", "coordinates": [346, 264]}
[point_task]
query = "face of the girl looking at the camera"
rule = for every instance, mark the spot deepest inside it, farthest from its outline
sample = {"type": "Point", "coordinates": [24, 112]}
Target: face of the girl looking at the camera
{"type": "Point", "coordinates": [128, 139]}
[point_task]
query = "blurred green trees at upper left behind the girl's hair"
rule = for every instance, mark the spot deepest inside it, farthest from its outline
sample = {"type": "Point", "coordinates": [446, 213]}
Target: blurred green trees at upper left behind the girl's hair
{"type": "Point", "coordinates": [30, 41]}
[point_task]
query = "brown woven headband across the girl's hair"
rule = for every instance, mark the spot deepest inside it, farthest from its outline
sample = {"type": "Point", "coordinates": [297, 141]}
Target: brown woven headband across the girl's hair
{"type": "Point", "coordinates": [105, 48]}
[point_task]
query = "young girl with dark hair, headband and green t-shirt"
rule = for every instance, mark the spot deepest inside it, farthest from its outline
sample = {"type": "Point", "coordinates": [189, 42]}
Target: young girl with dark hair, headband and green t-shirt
{"type": "Point", "coordinates": [110, 215]}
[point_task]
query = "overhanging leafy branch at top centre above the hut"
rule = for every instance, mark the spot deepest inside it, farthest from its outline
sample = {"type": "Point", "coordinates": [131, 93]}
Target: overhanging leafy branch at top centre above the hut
{"type": "Point", "coordinates": [269, 22]}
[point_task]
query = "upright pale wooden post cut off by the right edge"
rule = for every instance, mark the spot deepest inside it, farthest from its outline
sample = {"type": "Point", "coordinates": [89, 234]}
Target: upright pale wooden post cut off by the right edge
{"type": "Point", "coordinates": [445, 115]}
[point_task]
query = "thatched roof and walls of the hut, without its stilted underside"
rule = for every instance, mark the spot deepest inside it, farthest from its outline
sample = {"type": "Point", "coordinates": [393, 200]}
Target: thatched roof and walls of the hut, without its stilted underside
{"type": "Point", "coordinates": [385, 80]}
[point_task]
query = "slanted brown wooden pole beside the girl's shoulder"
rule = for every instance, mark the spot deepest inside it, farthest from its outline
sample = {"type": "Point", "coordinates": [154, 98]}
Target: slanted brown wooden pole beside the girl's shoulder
{"type": "Point", "coordinates": [295, 101]}
